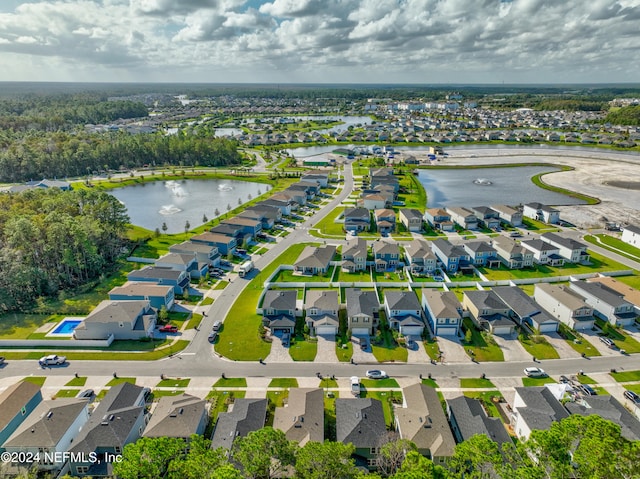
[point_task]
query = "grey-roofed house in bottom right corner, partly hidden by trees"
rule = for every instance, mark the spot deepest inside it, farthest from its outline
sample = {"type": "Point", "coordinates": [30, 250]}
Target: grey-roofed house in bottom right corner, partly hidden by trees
{"type": "Point", "coordinates": [609, 408]}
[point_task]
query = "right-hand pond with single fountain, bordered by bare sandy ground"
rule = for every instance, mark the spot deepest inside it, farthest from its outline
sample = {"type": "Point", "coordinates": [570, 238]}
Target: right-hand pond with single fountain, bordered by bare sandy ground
{"type": "Point", "coordinates": [489, 186]}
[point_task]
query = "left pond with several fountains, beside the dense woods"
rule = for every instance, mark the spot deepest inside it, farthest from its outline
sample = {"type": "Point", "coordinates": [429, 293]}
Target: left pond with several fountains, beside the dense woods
{"type": "Point", "coordinates": [175, 202]}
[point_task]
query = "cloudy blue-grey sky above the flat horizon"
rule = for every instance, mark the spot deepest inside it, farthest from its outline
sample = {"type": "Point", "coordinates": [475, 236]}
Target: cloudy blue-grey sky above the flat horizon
{"type": "Point", "coordinates": [321, 41]}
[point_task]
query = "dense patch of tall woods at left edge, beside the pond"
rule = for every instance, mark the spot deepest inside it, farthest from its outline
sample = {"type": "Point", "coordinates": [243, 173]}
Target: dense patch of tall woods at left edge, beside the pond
{"type": "Point", "coordinates": [53, 240]}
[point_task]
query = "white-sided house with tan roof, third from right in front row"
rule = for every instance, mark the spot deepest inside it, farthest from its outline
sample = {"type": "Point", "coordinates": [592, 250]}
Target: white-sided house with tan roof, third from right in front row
{"type": "Point", "coordinates": [564, 304]}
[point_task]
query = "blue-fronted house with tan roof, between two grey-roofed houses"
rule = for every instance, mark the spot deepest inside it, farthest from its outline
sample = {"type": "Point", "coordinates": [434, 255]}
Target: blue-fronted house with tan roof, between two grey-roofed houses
{"type": "Point", "coordinates": [443, 311]}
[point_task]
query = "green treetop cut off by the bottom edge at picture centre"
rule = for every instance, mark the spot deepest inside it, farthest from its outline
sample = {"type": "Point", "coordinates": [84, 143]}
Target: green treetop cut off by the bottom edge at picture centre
{"type": "Point", "coordinates": [326, 460]}
